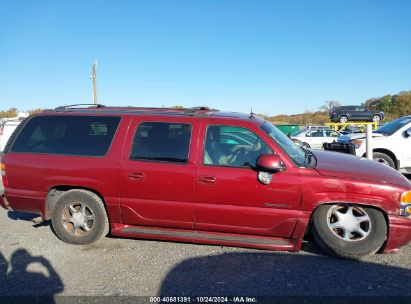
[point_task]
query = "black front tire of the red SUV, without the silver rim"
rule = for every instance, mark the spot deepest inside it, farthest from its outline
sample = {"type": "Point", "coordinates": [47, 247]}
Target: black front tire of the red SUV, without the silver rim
{"type": "Point", "coordinates": [336, 246]}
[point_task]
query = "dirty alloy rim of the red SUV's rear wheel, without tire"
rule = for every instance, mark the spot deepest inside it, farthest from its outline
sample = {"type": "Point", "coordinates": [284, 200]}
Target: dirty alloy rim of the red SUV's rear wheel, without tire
{"type": "Point", "coordinates": [78, 219]}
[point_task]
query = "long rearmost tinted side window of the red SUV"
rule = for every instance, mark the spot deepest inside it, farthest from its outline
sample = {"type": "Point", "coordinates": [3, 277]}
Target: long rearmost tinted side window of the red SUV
{"type": "Point", "coordinates": [67, 135]}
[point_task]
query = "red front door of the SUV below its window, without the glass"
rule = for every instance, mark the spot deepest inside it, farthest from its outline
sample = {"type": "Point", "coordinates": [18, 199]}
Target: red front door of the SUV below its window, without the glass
{"type": "Point", "coordinates": [232, 200]}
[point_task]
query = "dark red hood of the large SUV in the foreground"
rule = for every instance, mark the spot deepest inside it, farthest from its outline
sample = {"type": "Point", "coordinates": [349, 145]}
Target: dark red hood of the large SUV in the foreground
{"type": "Point", "coordinates": [348, 166]}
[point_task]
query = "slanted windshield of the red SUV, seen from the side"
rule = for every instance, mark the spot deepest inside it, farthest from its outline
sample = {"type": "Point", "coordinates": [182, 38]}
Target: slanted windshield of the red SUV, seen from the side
{"type": "Point", "coordinates": [295, 152]}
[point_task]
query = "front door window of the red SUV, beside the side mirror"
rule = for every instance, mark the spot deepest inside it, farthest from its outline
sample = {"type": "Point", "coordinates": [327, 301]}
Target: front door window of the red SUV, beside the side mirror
{"type": "Point", "coordinates": [232, 147]}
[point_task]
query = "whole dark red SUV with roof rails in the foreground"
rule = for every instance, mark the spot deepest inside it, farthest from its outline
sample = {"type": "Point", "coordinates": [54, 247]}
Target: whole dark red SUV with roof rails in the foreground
{"type": "Point", "coordinates": [198, 175]}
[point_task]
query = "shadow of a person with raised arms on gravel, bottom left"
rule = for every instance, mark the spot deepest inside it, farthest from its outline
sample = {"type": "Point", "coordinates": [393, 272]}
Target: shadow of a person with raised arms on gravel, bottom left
{"type": "Point", "coordinates": [19, 282]}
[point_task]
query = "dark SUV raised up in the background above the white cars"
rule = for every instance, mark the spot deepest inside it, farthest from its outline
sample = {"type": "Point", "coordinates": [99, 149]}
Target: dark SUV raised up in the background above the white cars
{"type": "Point", "coordinates": [354, 113]}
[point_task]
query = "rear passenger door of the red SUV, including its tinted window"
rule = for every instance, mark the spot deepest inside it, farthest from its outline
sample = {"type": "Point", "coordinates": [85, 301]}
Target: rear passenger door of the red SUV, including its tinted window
{"type": "Point", "coordinates": [157, 185]}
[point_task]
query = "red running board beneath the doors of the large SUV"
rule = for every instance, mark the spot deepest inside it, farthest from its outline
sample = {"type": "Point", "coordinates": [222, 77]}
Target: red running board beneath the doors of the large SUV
{"type": "Point", "coordinates": [206, 237]}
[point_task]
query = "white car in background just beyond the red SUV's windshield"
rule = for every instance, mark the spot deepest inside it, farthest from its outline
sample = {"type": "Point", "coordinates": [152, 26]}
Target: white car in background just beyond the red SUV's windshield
{"type": "Point", "coordinates": [314, 137]}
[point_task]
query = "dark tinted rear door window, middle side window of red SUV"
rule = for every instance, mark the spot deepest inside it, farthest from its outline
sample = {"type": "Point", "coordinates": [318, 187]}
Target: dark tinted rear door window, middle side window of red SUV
{"type": "Point", "coordinates": [163, 142]}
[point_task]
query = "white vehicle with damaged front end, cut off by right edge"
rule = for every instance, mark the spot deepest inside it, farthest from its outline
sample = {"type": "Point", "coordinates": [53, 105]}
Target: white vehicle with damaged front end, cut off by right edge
{"type": "Point", "coordinates": [391, 144]}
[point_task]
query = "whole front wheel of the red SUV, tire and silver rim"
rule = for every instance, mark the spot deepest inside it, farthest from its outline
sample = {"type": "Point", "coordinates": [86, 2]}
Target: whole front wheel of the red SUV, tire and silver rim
{"type": "Point", "coordinates": [349, 231]}
